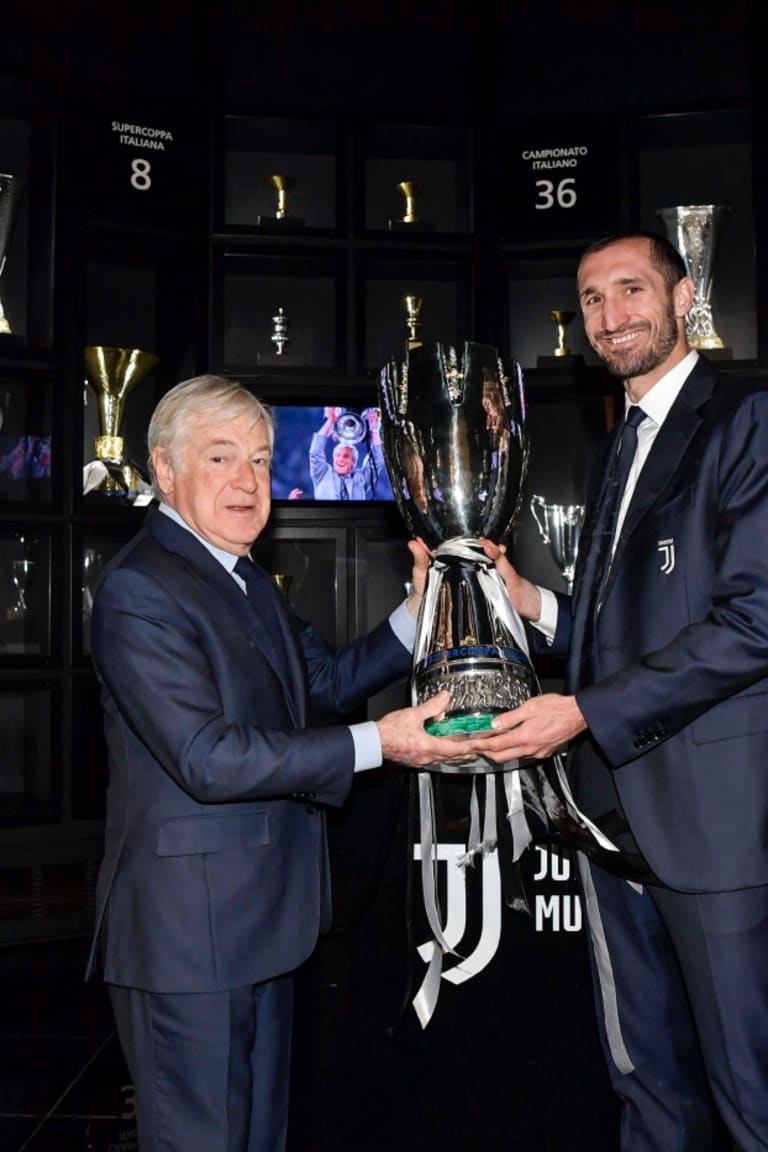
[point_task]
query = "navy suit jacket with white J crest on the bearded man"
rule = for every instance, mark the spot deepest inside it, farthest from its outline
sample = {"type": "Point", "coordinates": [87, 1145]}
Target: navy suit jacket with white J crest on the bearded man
{"type": "Point", "coordinates": [680, 704]}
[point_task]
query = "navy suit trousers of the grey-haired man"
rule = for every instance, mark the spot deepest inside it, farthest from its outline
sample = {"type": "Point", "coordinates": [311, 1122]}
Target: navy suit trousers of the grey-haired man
{"type": "Point", "coordinates": [210, 1071]}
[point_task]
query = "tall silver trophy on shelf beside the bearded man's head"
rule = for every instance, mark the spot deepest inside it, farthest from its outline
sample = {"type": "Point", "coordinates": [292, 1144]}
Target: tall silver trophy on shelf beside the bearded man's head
{"type": "Point", "coordinates": [695, 232]}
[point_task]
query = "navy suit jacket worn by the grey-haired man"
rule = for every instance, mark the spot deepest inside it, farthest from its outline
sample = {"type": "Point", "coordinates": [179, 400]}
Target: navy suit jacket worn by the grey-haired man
{"type": "Point", "coordinates": [215, 874]}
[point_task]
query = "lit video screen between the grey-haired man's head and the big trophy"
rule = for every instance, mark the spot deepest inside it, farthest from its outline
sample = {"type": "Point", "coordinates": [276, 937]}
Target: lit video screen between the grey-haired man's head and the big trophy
{"type": "Point", "coordinates": [329, 453]}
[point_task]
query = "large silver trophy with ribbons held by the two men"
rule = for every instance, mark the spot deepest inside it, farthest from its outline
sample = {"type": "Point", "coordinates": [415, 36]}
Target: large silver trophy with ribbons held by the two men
{"type": "Point", "coordinates": [457, 449]}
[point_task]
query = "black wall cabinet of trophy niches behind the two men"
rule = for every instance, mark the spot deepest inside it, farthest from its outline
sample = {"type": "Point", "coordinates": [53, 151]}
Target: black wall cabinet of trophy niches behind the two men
{"type": "Point", "coordinates": [298, 254]}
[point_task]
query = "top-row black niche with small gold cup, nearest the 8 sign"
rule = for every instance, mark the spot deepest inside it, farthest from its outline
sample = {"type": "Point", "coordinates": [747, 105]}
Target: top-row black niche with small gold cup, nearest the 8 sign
{"type": "Point", "coordinates": [279, 177]}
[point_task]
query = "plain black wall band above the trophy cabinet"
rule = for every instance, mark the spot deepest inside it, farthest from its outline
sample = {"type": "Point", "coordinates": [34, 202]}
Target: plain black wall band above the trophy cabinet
{"type": "Point", "coordinates": [432, 59]}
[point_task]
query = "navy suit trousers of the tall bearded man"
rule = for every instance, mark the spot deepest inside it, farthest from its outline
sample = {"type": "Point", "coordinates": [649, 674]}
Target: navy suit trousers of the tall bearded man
{"type": "Point", "coordinates": [682, 988]}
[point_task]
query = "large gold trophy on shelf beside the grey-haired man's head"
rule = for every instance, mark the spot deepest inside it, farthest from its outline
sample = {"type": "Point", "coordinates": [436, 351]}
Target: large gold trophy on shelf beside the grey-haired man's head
{"type": "Point", "coordinates": [113, 374]}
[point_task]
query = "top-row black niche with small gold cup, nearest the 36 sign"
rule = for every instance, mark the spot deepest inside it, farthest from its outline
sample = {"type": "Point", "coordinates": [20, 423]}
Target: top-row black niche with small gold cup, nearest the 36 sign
{"type": "Point", "coordinates": [417, 181]}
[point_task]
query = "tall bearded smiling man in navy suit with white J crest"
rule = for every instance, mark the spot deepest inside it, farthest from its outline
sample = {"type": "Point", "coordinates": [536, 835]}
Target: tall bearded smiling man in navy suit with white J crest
{"type": "Point", "coordinates": [665, 716]}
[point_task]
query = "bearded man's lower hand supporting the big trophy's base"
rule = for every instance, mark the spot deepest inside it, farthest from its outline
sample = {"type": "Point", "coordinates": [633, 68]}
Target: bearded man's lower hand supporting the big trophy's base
{"type": "Point", "coordinates": [536, 731]}
